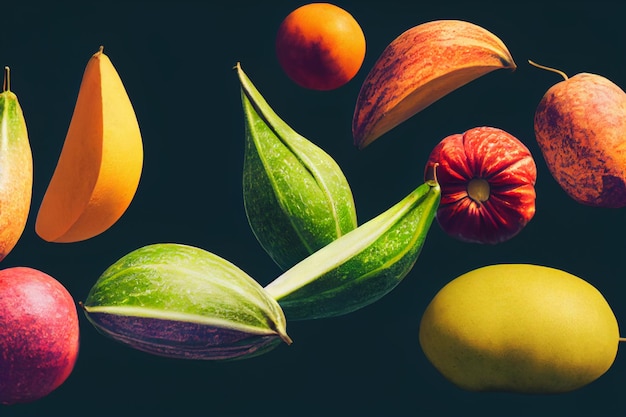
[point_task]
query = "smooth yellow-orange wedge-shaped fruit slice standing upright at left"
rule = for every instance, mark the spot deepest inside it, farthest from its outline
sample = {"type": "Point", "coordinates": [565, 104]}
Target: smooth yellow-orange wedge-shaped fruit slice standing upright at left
{"type": "Point", "coordinates": [100, 165]}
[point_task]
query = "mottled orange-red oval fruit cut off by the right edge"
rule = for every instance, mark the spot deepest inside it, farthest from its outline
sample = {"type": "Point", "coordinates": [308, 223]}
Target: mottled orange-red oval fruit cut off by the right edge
{"type": "Point", "coordinates": [580, 126]}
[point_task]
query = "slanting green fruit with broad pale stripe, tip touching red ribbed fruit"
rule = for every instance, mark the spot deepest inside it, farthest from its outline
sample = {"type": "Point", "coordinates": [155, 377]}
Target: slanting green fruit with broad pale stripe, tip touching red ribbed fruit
{"type": "Point", "coordinates": [362, 266]}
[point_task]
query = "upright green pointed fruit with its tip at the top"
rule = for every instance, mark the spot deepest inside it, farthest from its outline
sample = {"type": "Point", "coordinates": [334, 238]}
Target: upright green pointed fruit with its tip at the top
{"type": "Point", "coordinates": [296, 197]}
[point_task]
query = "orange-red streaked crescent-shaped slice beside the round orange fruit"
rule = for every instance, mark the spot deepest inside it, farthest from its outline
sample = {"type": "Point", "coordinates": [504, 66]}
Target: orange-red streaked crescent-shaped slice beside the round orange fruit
{"type": "Point", "coordinates": [419, 67]}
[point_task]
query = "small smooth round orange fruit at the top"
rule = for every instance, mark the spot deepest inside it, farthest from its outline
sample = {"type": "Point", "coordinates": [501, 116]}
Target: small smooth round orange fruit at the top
{"type": "Point", "coordinates": [320, 46]}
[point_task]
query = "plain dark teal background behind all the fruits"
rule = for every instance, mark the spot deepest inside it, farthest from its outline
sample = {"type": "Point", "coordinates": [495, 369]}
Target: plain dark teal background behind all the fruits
{"type": "Point", "coordinates": [176, 60]}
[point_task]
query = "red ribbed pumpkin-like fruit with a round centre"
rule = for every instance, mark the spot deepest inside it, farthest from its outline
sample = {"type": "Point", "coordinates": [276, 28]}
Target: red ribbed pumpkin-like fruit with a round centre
{"type": "Point", "coordinates": [505, 163]}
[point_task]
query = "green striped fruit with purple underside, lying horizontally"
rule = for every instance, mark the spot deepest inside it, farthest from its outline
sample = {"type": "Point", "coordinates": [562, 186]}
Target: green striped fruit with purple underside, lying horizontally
{"type": "Point", "coordinates": [181, 301]}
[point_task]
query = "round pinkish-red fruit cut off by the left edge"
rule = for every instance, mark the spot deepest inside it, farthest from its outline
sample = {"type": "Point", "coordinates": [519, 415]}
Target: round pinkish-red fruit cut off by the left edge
{"type": "Point", "coordinates": [40, 335]}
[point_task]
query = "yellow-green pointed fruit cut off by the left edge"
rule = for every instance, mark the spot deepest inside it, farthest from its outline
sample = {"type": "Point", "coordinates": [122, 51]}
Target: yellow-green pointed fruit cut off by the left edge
{"type": "Point", "coordinates": [16, 169]}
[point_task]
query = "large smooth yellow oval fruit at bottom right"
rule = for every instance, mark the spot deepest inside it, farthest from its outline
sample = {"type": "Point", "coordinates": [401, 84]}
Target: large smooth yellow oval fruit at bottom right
{"type": "Point", "coordinates": [519, 328]}
